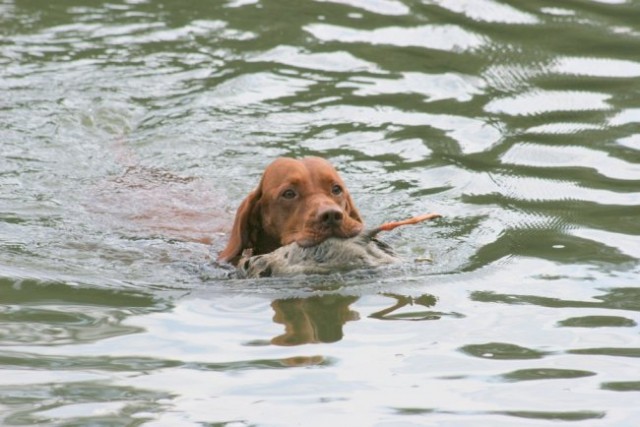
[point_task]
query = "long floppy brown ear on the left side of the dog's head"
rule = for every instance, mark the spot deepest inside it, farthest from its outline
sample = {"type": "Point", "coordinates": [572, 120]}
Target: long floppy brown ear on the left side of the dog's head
{"type": "Point", "coordinates": [244, 231]}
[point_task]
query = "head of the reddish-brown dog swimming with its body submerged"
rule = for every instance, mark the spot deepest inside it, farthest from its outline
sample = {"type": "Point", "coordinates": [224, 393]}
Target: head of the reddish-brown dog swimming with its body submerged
{"type": "Point", "coordinates": [303, 201]}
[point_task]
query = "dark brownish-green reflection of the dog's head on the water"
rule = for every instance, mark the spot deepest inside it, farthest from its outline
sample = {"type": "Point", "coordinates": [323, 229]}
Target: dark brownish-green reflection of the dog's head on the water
{"type": "Point", "coordinates": [316, 319]}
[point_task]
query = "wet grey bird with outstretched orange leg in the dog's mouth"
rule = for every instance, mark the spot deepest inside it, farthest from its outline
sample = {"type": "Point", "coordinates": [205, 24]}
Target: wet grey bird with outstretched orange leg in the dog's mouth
{"type": "Point", "coordinates": [332, 255]}
